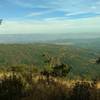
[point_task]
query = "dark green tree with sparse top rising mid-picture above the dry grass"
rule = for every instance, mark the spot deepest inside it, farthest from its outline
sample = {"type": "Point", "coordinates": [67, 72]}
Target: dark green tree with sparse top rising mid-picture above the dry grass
{"type": "Point", "coordinates": [54, 68]}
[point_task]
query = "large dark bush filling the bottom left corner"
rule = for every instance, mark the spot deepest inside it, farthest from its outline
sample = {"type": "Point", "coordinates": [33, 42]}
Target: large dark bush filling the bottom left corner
{"type": "Point", "coordinates": [11, 88]}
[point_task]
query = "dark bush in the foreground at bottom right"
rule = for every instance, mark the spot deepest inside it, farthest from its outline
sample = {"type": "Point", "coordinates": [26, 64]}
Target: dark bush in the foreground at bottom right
{"type": "Point", "coordinates": [81, 91]}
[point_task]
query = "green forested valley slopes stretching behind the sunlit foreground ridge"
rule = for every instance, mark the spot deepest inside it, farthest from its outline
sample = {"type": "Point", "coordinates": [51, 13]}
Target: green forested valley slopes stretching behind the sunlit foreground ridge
{"type": "Point", "coordinates": [82, 59]}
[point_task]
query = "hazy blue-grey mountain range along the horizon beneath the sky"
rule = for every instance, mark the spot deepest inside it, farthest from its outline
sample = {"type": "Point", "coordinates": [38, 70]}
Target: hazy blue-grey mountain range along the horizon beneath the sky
{"type": "Point", "coordinates": [61, 38]}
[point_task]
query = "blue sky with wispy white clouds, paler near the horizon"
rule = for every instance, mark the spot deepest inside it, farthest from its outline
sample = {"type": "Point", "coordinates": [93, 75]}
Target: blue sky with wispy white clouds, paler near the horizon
{"type": "Point", "coordinates": [50, 16]}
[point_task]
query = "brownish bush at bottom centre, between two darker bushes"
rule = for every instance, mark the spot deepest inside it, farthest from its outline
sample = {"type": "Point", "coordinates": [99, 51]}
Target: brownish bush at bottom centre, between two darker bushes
{"type": "Point", "coordinates": [51, 91]}
